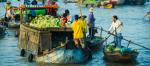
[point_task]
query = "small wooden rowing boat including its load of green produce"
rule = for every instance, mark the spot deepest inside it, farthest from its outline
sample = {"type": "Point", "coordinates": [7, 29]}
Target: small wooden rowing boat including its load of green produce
{"type": "Point", "coordinates": [123, 54]}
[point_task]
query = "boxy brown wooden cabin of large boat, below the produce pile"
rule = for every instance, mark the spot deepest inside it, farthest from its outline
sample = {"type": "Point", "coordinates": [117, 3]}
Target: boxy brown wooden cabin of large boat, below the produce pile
{"type": "Point", "coordinates": [38, 40]}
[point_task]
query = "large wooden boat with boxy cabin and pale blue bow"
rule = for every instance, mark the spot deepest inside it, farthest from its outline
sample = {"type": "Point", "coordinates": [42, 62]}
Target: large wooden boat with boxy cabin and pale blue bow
{"type": "Point", "coordinates": [50, 46]}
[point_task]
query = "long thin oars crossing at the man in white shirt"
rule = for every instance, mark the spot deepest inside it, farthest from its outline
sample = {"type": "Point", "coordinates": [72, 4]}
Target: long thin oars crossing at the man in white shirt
{"type": "Point", "coordinates": [124, 39]}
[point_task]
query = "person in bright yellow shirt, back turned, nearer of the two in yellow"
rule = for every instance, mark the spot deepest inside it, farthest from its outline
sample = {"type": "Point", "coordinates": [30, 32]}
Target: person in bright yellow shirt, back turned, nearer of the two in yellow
{"type": "Point", "coordinates": [78, 35]}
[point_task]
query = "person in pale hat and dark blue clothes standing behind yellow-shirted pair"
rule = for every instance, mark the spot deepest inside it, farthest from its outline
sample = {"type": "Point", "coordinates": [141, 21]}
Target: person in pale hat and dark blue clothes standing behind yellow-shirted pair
{"type": "Point", "coordinates": [91, 23]}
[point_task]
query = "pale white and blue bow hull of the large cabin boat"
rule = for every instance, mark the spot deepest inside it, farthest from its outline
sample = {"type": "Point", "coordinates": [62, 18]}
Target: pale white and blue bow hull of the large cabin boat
{"type": "Point", "coordinates": [63, 56]}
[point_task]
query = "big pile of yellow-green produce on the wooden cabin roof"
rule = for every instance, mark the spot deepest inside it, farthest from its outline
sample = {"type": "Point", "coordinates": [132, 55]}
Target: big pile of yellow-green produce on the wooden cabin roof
{"type": "Point", "coordinates": [45, 22]}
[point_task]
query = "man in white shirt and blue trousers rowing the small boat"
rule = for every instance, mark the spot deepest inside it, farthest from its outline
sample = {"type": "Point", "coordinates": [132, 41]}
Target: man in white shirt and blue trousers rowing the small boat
{"type": "Point", "coordinates": [116, 28]}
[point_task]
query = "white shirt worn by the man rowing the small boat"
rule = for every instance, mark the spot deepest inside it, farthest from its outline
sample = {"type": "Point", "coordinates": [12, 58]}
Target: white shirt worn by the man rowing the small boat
{"type": "Point", "coordinates": [116, 25]}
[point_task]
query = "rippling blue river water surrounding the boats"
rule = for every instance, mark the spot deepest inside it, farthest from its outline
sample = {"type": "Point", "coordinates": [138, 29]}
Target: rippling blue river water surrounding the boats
{"type": "Point", "coordinates": [136, 28]}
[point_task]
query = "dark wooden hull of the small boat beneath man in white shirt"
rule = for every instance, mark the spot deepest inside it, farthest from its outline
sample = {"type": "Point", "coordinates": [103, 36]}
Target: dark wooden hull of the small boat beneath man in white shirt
{"type": "Point", "coordinates": [118, 56]}
